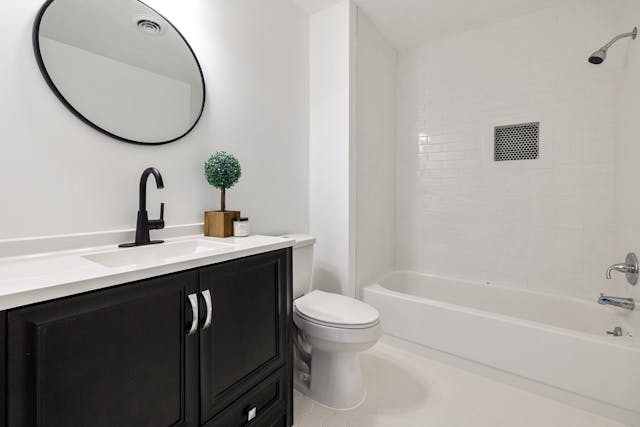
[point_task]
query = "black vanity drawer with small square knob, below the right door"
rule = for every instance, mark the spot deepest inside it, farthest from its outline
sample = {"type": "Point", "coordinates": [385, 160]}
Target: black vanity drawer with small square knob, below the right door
{"type": "Point", "coordinates": [265, 404]}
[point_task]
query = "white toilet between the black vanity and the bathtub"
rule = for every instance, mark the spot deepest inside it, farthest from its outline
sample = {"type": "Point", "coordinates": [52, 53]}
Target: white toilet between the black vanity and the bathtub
{"type": "Point", "coordinates": [331, 331]}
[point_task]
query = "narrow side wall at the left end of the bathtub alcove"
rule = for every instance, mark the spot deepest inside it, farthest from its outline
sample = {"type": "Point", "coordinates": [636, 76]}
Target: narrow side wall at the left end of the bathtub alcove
{"type": "Point", "coordinates": [375, 147]}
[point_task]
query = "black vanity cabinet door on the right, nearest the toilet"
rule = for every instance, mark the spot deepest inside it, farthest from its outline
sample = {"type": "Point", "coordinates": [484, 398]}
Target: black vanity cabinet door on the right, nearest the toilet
{"type": "Point", "coordinates": [249, 336]}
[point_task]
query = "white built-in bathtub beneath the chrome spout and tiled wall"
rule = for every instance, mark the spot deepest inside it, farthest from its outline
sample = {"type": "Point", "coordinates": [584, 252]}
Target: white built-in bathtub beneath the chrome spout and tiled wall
{"type": "Point", "coordinates": [559, 342]}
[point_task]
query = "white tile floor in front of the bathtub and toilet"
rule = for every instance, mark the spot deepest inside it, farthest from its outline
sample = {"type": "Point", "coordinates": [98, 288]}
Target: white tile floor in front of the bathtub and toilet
{"type": "Point", "coordinates": [406, 390]}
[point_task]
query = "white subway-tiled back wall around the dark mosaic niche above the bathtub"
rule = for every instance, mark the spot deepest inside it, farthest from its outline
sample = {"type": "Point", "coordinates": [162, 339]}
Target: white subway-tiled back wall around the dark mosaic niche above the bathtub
{"type": "Point", "coordinates": [547, 225]}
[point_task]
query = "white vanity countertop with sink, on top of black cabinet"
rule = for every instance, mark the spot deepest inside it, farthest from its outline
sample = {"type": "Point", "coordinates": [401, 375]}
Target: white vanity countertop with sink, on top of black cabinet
{"type": "Point", "coordinates": [36, 278]}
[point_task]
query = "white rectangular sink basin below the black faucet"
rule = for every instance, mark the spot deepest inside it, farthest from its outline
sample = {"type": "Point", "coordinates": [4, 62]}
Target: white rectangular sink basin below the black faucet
{"type": "Point", "coordinates": [160, 253]}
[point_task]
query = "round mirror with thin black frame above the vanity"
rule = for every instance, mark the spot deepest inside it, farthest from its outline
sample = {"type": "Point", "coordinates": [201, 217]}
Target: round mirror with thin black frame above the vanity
{"type": "Point", "coordinates": [121, 68]}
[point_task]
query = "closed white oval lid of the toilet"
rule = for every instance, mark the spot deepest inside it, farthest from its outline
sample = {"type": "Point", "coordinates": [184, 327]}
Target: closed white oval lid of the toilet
{"type": "Point", "coordinates": [336, 310]}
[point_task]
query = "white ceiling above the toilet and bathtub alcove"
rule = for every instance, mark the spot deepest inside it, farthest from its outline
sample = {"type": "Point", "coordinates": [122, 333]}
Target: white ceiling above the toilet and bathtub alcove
{"type": "Point", "coordinates": [409, 23]}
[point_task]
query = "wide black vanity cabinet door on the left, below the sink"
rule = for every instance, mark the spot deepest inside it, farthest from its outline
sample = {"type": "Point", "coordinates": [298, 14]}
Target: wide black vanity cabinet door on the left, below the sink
{"type": "Point", "coordinates": [119, 357]}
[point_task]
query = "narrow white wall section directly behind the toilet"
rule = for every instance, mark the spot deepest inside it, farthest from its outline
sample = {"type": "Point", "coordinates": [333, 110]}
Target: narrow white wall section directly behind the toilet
{"type": "Point", "coordinates": [330, 173]}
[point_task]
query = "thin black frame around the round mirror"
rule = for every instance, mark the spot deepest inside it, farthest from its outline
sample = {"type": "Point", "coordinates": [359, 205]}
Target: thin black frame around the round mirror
{"type": "Point", "coordinates": [52, 86]}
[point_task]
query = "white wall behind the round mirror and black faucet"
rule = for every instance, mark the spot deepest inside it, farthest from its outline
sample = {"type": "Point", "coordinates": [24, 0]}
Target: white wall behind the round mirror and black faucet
{"type": "Point", "coordinates": [59, 176]}
